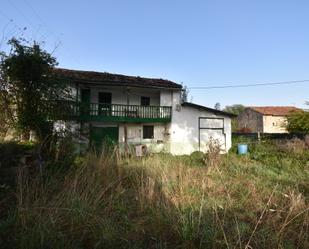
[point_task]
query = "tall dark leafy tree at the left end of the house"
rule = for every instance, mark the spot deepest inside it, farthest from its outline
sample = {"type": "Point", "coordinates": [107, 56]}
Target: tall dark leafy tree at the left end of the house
{"type": "Point", "coordinates": [27, 82]}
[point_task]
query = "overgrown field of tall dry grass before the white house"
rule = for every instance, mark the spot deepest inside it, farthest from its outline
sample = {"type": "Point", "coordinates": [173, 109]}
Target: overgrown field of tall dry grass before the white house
{"type": "Point", "coordinates": [162, 201]}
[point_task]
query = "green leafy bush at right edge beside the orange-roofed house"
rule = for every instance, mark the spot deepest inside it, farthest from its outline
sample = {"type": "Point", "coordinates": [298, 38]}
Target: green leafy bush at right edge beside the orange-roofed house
{"type": "Point", "coordinates": [298, 122]}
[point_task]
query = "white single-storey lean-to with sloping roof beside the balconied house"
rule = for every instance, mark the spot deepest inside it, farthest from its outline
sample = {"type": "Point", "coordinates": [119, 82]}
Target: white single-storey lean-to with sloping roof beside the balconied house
{"type": "Point", "coordinates": [194, 126]}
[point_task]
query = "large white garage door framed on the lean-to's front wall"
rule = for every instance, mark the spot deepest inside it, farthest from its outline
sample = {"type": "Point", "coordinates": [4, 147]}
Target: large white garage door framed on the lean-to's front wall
{"type": "Point", "coordinates": [211, 129]}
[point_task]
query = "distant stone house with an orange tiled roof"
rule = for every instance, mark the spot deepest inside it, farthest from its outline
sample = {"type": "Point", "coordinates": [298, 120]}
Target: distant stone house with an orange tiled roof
{"type": "Point", "coordinates": [265, 119]}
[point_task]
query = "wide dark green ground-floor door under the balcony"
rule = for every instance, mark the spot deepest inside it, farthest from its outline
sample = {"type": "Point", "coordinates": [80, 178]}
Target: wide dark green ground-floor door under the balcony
{"type": "Point", "coordinates": [103, 136]}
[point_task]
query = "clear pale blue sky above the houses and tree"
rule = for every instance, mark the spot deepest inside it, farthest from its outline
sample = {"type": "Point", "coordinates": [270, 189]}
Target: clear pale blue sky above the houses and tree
{"type": "Point", "coordinates": [199, 43]}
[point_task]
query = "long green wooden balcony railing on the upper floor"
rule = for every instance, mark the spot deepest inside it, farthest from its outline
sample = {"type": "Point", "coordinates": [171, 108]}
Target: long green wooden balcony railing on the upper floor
{"type": "Point", "coordinates": [70, 110]}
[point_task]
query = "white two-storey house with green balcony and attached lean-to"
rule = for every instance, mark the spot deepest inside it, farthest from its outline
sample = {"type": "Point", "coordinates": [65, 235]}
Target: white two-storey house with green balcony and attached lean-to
{"type": "Point", "coordinates": [136, 111]}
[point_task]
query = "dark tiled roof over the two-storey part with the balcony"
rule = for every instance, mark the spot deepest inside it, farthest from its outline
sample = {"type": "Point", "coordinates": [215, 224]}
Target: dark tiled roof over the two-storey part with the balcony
{"type": "Point", "coordinates": [104, 78]}
